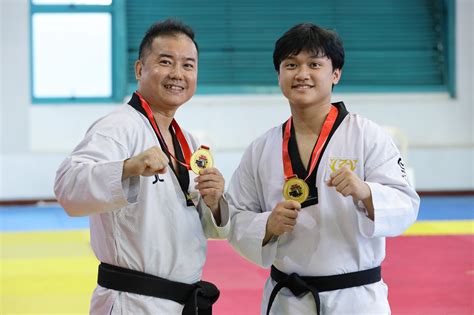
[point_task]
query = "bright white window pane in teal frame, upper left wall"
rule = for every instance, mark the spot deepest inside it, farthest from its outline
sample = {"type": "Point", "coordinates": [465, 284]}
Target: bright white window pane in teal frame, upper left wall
{"type": "Point", "coordinates": [72, 52]}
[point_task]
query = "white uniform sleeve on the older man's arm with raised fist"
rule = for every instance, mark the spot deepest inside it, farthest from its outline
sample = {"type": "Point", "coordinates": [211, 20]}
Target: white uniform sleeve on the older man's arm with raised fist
{"type": "Point", "coordinates": [90, 179]}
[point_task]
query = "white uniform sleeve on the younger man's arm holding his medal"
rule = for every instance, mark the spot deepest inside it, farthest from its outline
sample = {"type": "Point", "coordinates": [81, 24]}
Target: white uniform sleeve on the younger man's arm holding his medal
{"type": "Point", "coordinates": [248, 222]}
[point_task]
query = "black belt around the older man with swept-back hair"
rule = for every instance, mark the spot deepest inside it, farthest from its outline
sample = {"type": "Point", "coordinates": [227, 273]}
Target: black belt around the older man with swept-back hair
{"type": "Point", "coordinates": [197, 297]}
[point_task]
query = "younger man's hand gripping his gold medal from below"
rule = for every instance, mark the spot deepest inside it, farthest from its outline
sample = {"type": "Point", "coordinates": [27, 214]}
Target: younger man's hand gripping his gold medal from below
{"type": "Point", "coordinates": [282, 219]}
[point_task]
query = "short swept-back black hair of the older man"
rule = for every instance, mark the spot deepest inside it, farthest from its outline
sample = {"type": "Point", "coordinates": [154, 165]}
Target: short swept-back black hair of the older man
{"type": "Point", "coordinates": [169, 27]}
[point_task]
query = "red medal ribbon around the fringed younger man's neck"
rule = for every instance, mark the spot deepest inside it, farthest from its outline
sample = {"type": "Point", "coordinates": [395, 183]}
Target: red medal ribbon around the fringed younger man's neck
{"type": "Point", "coordinates": [323, 136]}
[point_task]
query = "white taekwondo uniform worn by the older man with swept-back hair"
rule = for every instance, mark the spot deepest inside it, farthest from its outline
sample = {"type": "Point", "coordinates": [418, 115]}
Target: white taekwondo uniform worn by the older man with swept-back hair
{"type": "Point", "coordinates": [139, 225]}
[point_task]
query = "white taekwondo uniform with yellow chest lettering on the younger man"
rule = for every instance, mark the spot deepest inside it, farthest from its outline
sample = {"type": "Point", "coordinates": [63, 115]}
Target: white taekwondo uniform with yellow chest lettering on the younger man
{"type": "Point", "coordinates": [334, 236]}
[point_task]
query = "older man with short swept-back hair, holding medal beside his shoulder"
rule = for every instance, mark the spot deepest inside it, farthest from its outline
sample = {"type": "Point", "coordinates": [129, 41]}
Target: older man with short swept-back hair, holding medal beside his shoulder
{"type": "Point", "coordinates": [131, 175]}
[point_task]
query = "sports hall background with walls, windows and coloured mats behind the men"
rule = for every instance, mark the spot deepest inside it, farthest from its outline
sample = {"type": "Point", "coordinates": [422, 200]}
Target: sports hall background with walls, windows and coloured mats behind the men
{"type": "Point", "coordinates": [65, 63]}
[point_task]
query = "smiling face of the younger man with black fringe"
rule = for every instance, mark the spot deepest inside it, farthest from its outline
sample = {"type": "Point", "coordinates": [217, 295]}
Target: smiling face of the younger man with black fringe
{"type": "Point", "coordinates": [306, 79]}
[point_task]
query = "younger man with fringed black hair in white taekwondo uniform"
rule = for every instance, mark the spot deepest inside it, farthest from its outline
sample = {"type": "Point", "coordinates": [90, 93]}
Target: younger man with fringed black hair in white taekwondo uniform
{"type": "Point", "coordinates": [315, 197]}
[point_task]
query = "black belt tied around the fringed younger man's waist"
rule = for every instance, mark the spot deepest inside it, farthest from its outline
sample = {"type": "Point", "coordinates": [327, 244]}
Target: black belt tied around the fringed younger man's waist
{"type": "Point", "coordinates": [302, 285]}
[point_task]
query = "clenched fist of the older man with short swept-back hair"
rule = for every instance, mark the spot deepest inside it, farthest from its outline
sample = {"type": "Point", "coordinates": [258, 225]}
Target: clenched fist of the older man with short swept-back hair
{"type": "Point", "coordinates": [147, 163]}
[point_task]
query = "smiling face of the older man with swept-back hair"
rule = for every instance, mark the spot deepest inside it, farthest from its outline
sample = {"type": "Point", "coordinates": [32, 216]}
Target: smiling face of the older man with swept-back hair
{"type": "Point", "coordinates": [167, 73]}
